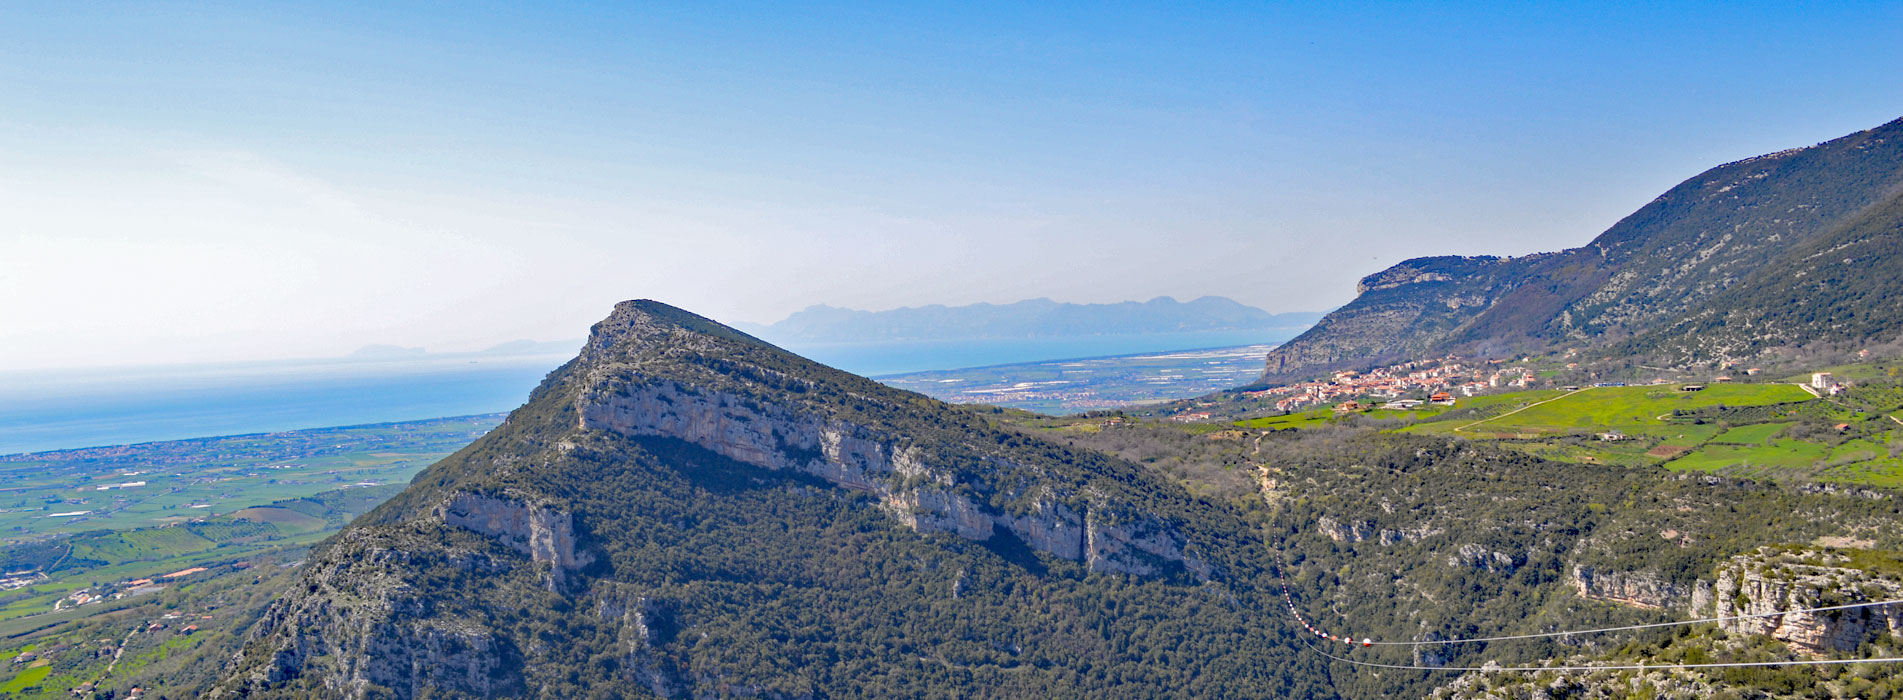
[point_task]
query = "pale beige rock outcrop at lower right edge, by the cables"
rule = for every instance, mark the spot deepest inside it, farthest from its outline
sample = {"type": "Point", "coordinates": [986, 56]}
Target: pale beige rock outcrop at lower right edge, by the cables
{"type": "Point", "coordinates": [1763, 591]}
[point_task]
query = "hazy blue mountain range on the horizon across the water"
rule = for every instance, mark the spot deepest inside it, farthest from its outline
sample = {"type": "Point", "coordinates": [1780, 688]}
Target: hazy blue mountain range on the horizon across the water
{"type": "Point", "coordinates": [1025, 321]}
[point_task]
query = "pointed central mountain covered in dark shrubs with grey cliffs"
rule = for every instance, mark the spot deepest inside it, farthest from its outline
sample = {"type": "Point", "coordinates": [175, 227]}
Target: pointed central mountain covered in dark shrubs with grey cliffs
{"type": "Point", "coordinates": [690, 513]}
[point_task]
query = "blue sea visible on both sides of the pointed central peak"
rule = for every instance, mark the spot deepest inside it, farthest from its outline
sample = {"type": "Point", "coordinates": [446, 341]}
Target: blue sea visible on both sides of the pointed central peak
{"type": "Point", "coordinates": [69, 410]}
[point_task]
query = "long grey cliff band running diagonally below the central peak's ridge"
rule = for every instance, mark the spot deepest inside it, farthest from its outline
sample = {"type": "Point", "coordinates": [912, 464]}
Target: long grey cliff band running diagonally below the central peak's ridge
{"type": "Point", "coordinates": [1074, 526]}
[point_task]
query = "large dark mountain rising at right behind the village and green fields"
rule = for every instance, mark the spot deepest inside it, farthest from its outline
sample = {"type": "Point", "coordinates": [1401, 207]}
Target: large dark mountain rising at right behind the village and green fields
{"type": "Point", "coordinates": [1792, 248]}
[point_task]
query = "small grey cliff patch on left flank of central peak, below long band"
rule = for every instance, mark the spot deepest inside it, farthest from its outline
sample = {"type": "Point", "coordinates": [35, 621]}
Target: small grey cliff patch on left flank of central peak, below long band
{"type": "Point", "coordinates": [543, 534]}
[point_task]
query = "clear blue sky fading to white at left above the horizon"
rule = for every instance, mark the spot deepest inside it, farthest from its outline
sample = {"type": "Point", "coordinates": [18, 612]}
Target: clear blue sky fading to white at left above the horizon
{"type": "Point", "coordinates": [245, 182]}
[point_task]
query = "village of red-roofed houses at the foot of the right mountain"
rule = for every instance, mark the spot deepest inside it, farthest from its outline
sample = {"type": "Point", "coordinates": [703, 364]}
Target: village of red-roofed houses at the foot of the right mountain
{"type": "Point", "coordinates": [1440, 379]}
